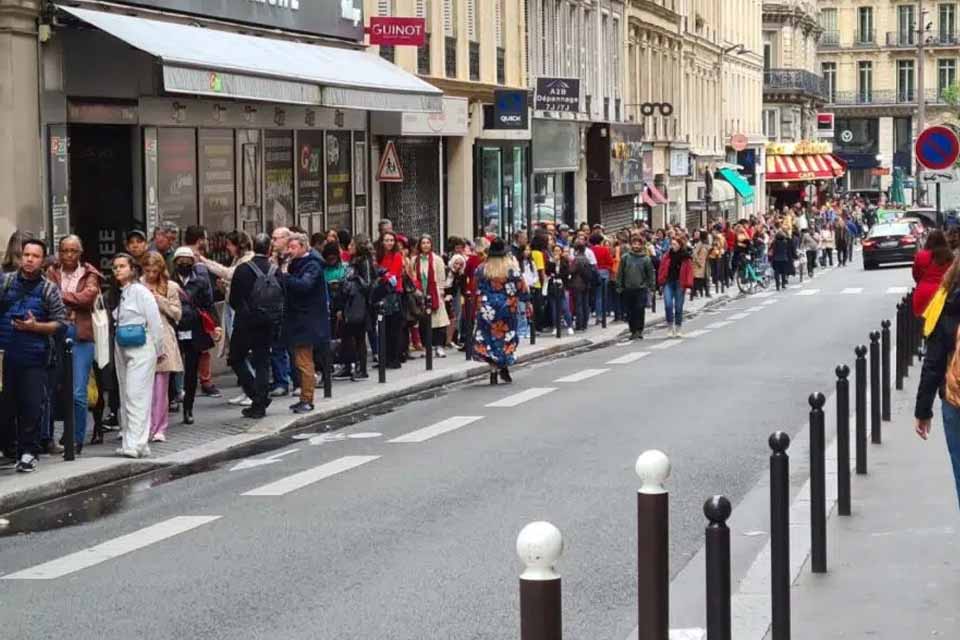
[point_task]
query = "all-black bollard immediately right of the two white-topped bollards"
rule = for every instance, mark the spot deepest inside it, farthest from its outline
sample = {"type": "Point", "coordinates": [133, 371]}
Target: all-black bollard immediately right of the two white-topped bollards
{"type": "Point", "coordinates": [719, 621]}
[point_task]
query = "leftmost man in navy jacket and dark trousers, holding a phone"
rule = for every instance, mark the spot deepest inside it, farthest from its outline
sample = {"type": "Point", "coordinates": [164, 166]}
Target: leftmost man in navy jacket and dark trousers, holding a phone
{"type": "Point", "coordinates": [32, 312]}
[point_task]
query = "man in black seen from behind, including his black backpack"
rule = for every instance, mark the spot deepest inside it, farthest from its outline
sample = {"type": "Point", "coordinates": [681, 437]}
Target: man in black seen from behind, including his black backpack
{"type": "Point", "coordinates": [258, 298]}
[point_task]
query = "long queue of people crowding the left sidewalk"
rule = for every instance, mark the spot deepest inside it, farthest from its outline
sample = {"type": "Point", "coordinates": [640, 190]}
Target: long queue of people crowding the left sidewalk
{"type": "Point", "coordinates": [287, 308]}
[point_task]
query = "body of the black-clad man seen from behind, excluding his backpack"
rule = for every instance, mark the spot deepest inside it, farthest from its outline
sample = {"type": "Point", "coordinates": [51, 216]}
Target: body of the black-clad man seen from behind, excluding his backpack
{"type": "Point", "coordinates": [252, 334]}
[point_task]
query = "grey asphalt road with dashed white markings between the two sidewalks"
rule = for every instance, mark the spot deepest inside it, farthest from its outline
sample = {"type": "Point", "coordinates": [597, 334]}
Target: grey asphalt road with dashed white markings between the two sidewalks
{"type": "Point", "coordinates": [416, 541]}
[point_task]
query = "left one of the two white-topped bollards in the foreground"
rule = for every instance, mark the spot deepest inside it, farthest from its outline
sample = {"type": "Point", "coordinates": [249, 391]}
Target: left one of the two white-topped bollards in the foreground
{"type": "Point", "coordinates": [539, 546]}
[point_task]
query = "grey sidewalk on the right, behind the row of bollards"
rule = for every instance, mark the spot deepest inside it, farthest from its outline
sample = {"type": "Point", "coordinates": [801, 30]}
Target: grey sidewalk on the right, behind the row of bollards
{"type": "Point", "coordinates": [894, 570]}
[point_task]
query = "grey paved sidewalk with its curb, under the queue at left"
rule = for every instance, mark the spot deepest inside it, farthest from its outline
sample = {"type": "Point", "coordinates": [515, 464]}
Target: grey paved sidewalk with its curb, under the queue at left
{"type": "Point", "coordinates": [220, 431]}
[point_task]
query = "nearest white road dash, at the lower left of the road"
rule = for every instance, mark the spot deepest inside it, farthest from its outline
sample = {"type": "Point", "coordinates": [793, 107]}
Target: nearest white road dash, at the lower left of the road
{"type": "Point", "coordinates": [111, 549]}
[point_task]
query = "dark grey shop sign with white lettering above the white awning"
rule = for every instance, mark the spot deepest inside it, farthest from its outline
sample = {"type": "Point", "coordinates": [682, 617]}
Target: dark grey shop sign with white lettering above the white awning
{"type": "Point", "coordinates": [333, 18]}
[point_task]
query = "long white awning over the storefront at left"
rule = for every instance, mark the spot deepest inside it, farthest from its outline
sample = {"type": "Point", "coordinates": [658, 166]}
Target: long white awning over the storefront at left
{"type": "Point", "coordinates": [210, 62]}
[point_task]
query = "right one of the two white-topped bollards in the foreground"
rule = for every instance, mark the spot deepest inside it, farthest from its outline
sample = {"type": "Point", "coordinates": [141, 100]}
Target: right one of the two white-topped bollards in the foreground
{"type": "Point", "coordinates": [653, 547]}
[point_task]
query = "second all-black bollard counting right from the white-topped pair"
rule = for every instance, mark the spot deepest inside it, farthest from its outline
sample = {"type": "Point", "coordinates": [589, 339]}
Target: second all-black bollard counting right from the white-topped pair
{"type": "Point", "coordinates": [780, 535]}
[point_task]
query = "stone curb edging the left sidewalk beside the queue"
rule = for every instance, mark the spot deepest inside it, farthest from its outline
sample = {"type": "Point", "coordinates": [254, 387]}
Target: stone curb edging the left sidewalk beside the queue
{"type": "Point", "coordinates": [231, 447]}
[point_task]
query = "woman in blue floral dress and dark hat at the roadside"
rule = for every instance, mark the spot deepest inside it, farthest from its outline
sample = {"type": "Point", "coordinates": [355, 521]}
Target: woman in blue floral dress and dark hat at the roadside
{"type": "Point", "coordinates": [501, 287]}
